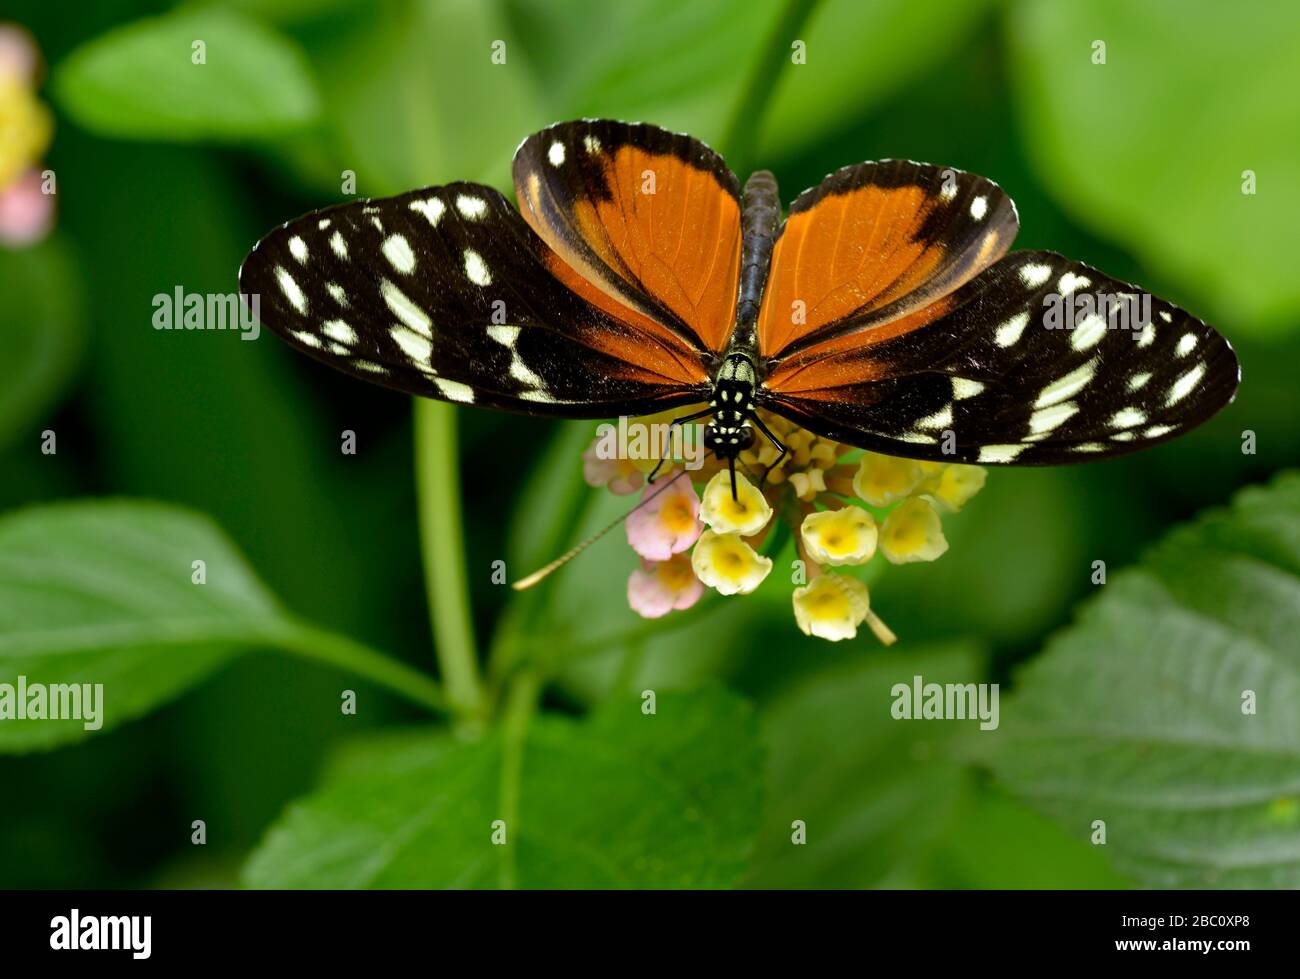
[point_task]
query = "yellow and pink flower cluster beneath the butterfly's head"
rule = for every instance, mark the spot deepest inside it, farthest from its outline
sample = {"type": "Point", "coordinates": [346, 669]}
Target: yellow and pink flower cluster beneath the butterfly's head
{"type": "Point", "coordinates": [842, 505]}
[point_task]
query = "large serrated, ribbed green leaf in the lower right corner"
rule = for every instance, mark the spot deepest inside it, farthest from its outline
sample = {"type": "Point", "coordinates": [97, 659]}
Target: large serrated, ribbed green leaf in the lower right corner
{"type": "Point", "coordinates": [1172, 711]}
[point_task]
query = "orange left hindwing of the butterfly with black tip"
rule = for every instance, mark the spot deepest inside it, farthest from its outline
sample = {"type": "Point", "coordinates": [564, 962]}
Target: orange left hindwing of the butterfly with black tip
{"type": "Point", "coordinates": [638, 219]}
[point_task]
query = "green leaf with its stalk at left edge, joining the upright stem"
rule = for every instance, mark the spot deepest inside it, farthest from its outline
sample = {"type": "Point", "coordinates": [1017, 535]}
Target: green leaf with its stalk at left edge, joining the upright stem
{"type": "Point", "coordinates": [106, 594]}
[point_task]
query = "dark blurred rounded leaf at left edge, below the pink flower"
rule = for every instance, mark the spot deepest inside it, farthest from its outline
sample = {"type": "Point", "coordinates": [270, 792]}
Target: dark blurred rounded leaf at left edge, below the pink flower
{"type": "Point", "coordinates": [42, 333]}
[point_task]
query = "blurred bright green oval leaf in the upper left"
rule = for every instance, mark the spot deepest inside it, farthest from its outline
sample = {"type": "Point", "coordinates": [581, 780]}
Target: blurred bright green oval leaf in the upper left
{"type": "Point", "coordinates": [141, 83]}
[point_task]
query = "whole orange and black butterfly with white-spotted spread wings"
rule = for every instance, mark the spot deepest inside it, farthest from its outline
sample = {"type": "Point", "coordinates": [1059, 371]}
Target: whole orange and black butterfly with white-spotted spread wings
{"type": "Point", "coordinates": [883, 313]}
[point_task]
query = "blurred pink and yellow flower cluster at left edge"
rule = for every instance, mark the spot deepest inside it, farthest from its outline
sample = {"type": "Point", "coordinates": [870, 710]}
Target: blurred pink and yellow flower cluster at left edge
{"type": "Point", "coordinates": [27, 207]}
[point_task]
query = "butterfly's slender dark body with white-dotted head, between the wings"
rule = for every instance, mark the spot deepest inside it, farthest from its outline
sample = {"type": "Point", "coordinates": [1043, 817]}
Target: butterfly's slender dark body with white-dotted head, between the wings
{"type": "Point", "coordinates": [738, 376]}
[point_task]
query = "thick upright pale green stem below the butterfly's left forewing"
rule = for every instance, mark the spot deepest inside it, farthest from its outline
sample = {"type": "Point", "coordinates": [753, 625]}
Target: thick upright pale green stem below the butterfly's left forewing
{"type": "Point", "coordinates": [437, 475]}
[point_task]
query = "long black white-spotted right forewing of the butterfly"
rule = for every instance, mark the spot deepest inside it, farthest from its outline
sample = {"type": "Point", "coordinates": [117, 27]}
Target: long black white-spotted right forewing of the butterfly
{"type": "Point", "coordinates": [993, 366]}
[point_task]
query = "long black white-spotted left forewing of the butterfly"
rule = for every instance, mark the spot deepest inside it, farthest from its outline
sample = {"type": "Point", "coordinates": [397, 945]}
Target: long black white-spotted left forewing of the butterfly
{"type": "Point", "coordinates": [447, 293]}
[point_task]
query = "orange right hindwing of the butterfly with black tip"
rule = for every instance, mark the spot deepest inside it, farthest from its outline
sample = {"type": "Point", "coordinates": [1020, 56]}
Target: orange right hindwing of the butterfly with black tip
{"type": "Point", "coordinates": [874, 244]}
